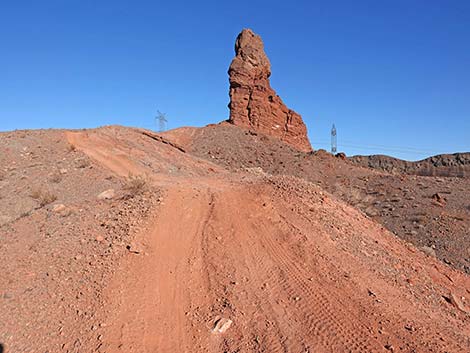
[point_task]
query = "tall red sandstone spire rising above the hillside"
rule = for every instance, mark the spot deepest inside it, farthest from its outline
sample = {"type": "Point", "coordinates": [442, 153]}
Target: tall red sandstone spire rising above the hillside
{"type": "Point", "coordinates": [253, 103]}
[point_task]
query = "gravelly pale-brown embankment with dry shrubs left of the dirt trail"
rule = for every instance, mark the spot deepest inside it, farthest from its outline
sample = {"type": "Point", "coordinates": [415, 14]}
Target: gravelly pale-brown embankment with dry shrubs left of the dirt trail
{"type": "Point", "coordinates": [65, 224]}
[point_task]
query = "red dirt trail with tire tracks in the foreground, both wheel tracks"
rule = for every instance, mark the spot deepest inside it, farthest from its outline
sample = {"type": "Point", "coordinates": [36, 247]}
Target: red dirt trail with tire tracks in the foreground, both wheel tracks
{"type": "Point", "coordinates": [168, 301]}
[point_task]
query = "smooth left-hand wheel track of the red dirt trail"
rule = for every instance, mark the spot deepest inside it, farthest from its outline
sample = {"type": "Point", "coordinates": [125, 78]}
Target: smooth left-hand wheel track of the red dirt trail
{"type": "Point", "coordinates": [151, 290]}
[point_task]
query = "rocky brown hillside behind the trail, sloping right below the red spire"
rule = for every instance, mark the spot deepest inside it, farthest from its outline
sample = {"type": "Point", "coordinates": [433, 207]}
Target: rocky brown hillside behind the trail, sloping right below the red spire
{"type": "Point", "coordinates": [432, 213]}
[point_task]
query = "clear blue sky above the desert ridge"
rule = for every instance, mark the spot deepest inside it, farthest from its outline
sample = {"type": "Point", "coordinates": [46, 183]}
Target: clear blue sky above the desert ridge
{"type": "Point", "coordinates": [394, 76]}
